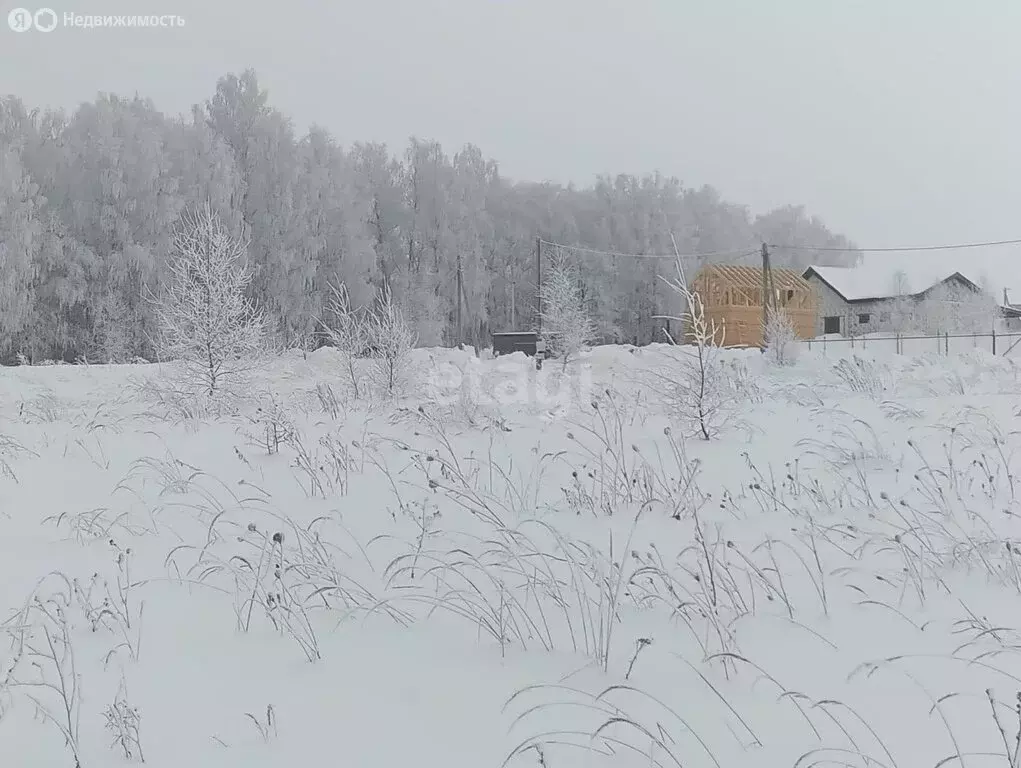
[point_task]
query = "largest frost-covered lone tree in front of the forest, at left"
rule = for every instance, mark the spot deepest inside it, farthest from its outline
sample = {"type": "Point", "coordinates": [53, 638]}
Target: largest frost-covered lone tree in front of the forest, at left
{"type": "Point", "coordinates": [205, 320]}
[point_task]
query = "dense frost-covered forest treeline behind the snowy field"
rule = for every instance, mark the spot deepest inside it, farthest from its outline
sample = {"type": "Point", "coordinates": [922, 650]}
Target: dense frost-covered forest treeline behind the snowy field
{"type": "Point", "coordinates": [89, 203]}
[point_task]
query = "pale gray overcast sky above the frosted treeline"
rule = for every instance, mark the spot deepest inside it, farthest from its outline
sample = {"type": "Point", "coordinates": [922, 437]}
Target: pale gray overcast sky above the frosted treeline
{"type": "Point", "coordinates": [897, 121]}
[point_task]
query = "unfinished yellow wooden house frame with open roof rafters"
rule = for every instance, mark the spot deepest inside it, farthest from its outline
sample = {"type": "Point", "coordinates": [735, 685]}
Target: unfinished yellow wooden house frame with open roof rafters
{"type": "Point", "coordinates": [733, 298]}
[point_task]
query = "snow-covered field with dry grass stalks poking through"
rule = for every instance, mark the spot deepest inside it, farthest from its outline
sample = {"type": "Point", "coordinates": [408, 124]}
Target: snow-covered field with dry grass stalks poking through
{"type": "Point", "coordinates": [534, 570]}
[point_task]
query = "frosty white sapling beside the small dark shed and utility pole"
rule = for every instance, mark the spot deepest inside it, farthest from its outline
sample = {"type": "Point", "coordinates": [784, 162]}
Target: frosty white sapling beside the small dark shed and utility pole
{"type": "Point", "coordinates": [567, 326]}
